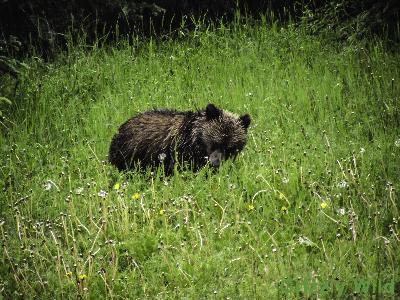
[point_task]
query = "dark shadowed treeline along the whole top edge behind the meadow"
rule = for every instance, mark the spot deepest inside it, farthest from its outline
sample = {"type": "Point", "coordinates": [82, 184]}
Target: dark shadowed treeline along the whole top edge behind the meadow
{"type": "Point", "coordinates": [44, 24]}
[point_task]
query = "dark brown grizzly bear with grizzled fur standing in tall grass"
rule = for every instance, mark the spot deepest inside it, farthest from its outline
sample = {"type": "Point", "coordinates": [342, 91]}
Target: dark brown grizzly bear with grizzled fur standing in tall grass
{"type": "Point", "coordinates": [169, 137]}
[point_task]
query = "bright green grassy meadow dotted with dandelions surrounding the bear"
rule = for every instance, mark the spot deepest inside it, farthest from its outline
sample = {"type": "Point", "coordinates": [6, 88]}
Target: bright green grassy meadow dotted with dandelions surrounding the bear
{"type": "Point", "coordinates": [310, 209]}
